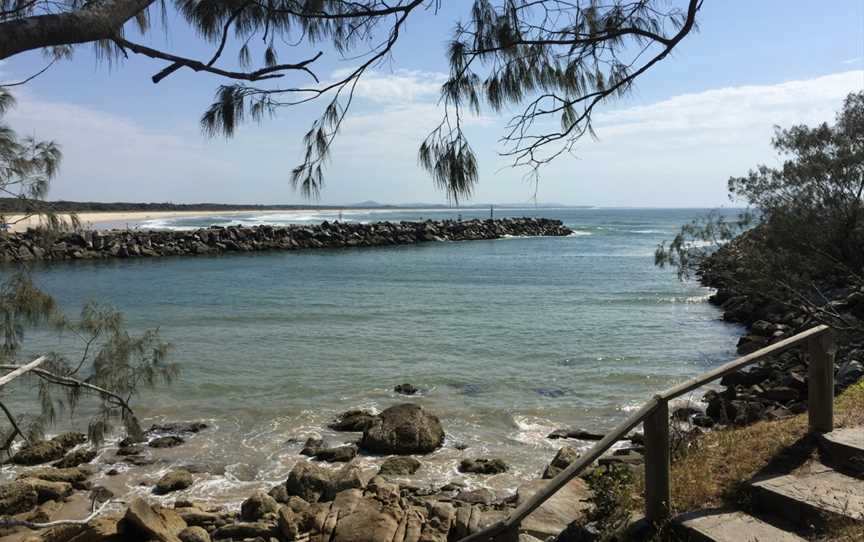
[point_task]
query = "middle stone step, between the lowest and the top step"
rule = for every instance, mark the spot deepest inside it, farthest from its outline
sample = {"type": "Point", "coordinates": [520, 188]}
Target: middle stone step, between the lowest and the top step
{"type": "Point", "coordinates": [811, 496]}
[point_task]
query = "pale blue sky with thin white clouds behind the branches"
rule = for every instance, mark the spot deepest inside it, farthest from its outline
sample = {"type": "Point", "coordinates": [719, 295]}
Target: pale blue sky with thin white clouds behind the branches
{"type": "Point", "coordinates": [705, 113]}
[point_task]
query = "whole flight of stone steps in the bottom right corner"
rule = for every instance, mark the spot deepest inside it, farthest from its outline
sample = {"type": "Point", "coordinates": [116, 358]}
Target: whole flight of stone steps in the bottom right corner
{"type": "Point", "coordinates": [787, 505]}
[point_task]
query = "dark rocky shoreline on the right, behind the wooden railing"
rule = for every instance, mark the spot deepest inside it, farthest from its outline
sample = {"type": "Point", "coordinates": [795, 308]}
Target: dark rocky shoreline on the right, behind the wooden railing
{"type": "Point", "coordinates": [777, 387]}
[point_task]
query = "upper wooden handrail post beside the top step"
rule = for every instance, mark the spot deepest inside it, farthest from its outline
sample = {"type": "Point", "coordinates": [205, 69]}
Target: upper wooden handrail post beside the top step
{"type": "Point", "coordinates": [820, 388]}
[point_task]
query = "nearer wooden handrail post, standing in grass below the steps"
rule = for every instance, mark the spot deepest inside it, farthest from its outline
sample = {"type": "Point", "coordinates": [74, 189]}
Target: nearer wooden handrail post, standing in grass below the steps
{"type": "Point", "coordinates": [657, 490]}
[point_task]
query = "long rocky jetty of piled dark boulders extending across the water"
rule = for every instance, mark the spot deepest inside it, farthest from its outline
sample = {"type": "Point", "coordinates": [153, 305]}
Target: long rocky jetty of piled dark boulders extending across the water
{"type": "Point", "coordinates": [92, 245]}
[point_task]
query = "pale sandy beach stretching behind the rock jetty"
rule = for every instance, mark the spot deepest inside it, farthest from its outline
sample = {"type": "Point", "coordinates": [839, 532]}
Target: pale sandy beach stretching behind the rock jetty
{"type": "Point", "coordinates": [110, 219]}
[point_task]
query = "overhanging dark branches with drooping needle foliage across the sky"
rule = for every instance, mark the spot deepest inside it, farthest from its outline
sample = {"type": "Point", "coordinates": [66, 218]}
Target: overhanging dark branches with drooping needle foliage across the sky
{"type": "Point", "coordinates": [552, 62]}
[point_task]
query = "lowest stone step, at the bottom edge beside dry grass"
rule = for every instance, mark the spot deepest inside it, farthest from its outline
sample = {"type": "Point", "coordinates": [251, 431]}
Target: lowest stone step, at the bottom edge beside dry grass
{"type": "Point", "coordinates": [730, 526]}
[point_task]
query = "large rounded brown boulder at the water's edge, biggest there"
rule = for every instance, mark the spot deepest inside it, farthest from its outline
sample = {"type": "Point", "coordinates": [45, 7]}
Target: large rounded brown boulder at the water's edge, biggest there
{"type": "Point", "coordinates": [403, 430]}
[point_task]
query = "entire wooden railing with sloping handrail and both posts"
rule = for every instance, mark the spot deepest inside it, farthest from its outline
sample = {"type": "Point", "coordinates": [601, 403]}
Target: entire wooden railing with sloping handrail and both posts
{"type": "Point", "coordinates": [654, 415]}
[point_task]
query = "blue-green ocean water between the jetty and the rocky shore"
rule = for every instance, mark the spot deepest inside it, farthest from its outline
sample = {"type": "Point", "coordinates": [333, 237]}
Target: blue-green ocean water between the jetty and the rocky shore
{"type": "Point", "coordinates": [507, 339]}
